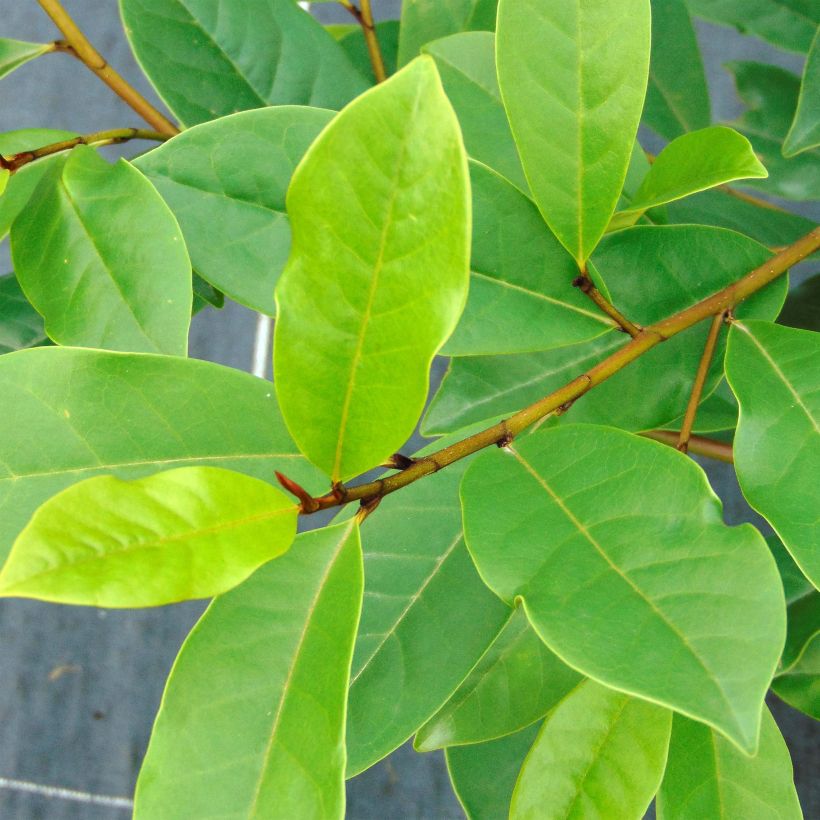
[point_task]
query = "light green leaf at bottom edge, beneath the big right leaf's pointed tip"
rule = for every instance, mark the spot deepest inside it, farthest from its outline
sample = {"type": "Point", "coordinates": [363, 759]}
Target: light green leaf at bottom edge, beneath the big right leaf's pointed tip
{"type": "Point", "coordinates": [708, 777]}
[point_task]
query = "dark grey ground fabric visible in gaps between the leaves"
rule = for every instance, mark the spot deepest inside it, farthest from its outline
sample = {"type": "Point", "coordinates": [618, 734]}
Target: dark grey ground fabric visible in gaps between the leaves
{"type": "Point", "coordinates": [79, 687]}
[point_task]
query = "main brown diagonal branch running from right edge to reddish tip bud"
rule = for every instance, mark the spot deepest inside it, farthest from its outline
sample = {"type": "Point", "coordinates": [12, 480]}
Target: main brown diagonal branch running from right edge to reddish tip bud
{"type": "Point", "coordinates": [563, 398]}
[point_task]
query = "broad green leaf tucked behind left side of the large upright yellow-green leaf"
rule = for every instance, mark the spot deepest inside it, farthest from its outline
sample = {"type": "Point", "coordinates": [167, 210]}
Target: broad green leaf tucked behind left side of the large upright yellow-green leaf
{"type": "Point", "coordinates": [226, 182]}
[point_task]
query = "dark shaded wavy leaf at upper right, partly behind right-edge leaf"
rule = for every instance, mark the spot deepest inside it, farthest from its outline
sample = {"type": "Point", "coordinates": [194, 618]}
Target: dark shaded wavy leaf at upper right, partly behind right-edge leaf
{"type": "Point", "coordinates": [771, 95]}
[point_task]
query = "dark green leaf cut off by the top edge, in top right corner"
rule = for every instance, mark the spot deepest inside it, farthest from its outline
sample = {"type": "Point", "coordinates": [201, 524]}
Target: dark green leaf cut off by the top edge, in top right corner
{"type": "Point", "coordinates": [788, 24]}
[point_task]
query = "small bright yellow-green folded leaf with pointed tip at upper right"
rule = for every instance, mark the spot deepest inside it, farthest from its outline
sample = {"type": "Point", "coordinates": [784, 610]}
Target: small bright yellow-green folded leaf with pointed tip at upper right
{"type": "Point", "coordinates": [691, 163]}
